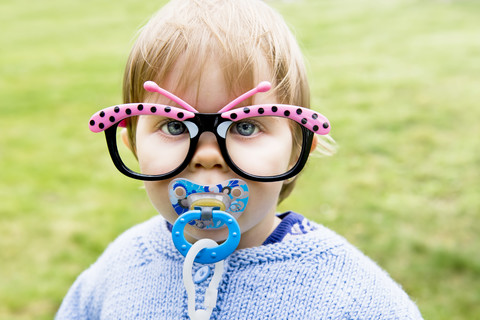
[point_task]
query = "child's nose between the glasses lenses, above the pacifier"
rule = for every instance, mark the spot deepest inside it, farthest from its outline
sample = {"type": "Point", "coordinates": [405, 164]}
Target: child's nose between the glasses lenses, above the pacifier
{"type": "Point", "coordinates": [207, 154]}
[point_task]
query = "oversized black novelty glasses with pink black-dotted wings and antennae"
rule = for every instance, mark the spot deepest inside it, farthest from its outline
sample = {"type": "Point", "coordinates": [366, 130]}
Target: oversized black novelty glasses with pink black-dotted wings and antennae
{"type": "Point", "coordinates": [268, 142]}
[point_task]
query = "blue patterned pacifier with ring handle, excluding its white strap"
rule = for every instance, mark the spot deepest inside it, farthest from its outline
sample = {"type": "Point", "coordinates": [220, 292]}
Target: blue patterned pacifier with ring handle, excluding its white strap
{"type": "Point", "coordinates": [208, 207]}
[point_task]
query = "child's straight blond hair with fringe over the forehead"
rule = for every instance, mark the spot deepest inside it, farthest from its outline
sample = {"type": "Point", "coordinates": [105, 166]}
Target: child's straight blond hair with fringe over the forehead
{"type": "Point", "coordinates": [240, 35]}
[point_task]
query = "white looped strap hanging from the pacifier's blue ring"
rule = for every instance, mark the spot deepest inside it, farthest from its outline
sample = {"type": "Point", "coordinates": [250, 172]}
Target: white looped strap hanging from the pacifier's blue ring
{"type": "Point", "coordinates": [211, 293]}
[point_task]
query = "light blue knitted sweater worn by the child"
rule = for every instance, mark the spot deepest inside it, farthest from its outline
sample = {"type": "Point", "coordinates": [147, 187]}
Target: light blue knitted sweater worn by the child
{"type": "Point", "coordinates": [312, 275]}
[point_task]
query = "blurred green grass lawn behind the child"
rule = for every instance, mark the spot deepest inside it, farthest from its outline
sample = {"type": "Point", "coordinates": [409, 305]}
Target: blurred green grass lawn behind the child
{"type": "Point", "coordinates": [399, 80]}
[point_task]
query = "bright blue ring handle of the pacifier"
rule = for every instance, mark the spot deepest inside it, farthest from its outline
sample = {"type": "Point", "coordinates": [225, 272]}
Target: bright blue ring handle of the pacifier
{"type": "Point", "coordinates": [208, 255]}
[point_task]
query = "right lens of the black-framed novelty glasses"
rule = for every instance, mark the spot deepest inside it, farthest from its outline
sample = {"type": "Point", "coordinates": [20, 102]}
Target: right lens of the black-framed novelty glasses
{"type": "Point", "coordinates": [264, 146]}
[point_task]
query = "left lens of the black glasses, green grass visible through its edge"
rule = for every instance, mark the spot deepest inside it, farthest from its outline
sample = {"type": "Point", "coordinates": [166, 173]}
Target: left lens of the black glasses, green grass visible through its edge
{"type": "Point", "coordinates": [158, 146]}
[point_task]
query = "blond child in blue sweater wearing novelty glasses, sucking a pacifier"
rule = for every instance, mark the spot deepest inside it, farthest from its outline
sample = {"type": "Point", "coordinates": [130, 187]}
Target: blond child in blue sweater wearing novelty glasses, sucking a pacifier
{"type": "Point", "coordinates": [189, 131]}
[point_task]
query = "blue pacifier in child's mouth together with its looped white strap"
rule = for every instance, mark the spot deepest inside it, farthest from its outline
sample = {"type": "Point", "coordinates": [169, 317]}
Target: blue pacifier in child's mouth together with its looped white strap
{"type": "Point", "coordinates": [206, 207]}
